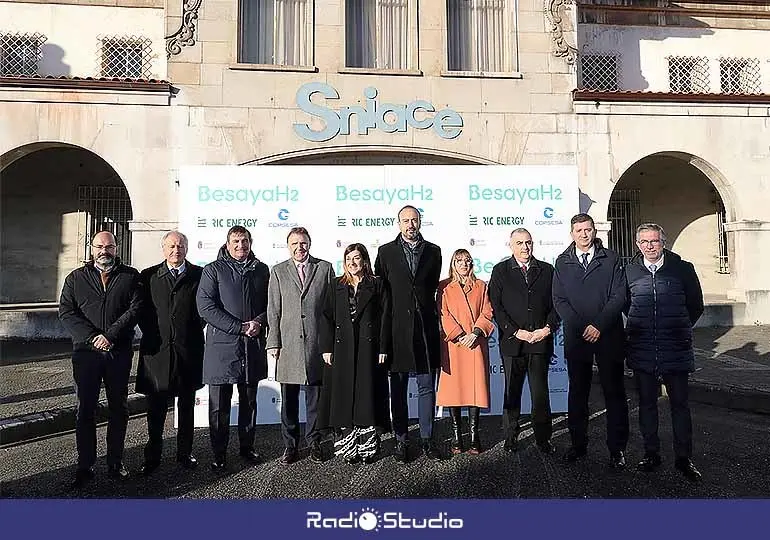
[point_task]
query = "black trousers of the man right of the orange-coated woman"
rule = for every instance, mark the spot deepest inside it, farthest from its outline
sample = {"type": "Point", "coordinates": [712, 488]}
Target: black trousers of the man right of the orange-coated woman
{"type": "Point", "coordinates": [517, 368]}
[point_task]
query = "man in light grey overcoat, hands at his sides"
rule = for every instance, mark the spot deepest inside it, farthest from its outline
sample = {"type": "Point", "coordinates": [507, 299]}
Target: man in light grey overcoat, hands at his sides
{"type": "Point", "coordinates": [297, 295]}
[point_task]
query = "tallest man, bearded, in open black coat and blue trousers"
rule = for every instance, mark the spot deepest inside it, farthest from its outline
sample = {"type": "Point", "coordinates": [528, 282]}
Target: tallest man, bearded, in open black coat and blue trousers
{"type": "Point", "coordinates": [411, 267]}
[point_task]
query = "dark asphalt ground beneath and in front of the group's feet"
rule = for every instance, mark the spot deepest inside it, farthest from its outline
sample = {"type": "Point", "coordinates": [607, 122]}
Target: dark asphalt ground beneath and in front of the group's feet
{"type": "Point", "coordinates": [731, 449]}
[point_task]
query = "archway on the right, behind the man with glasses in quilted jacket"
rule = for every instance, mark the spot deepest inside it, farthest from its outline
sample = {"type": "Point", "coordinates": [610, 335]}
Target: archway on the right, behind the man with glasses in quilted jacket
{"type": "Point", "coordinates": [672, 190]}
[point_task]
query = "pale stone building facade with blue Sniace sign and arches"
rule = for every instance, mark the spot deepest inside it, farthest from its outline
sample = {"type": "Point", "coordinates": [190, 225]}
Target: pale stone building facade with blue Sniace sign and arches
{"type": "Point", "coordinates": [663, 106]}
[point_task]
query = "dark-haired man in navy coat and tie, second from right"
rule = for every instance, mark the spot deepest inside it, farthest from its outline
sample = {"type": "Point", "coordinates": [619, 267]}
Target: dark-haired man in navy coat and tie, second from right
{"type": "Point", "coordinates": [589, 293]}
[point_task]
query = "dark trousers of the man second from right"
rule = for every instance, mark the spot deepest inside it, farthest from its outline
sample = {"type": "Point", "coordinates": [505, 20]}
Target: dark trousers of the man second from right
{"type": "Point", "coordinates": [580, 370]}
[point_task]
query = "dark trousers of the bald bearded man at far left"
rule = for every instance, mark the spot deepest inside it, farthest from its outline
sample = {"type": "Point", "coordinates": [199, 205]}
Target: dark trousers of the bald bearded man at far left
{"type": "Point", "coordinates": [89, 369]}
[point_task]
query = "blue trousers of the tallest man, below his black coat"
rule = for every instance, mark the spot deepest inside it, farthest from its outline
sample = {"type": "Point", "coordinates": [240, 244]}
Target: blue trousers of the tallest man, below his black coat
{"type": "Point", "coordinates": [426, 403]}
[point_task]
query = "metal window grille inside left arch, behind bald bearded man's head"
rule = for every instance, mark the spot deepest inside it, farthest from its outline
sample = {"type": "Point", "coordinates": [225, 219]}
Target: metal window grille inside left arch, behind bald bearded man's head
{"type": "Point", "coordinates": [104, 208]}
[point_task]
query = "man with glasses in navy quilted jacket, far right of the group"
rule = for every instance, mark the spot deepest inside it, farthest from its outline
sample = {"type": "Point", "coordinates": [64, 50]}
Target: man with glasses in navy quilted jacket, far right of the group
{"type": "Point", "coordinates": [665, 302]}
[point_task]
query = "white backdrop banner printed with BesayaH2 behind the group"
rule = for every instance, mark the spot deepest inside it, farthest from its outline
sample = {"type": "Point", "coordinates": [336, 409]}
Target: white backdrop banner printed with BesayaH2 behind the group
{"type": "Point", "coordinates": [472, 207]}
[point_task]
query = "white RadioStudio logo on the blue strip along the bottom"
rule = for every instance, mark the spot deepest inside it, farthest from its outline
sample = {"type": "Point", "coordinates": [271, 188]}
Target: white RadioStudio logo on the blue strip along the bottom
{"type": "Point", "coordinates": [371, 519]}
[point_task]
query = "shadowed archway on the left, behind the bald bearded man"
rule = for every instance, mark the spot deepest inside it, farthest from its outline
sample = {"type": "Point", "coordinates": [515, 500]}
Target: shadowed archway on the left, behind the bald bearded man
{"type": "Point", "coordinates": [54, 197]}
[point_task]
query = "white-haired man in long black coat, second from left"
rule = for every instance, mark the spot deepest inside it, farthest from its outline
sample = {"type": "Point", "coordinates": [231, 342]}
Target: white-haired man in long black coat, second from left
{"type": "Point", "coordinates": [171, 350]}
